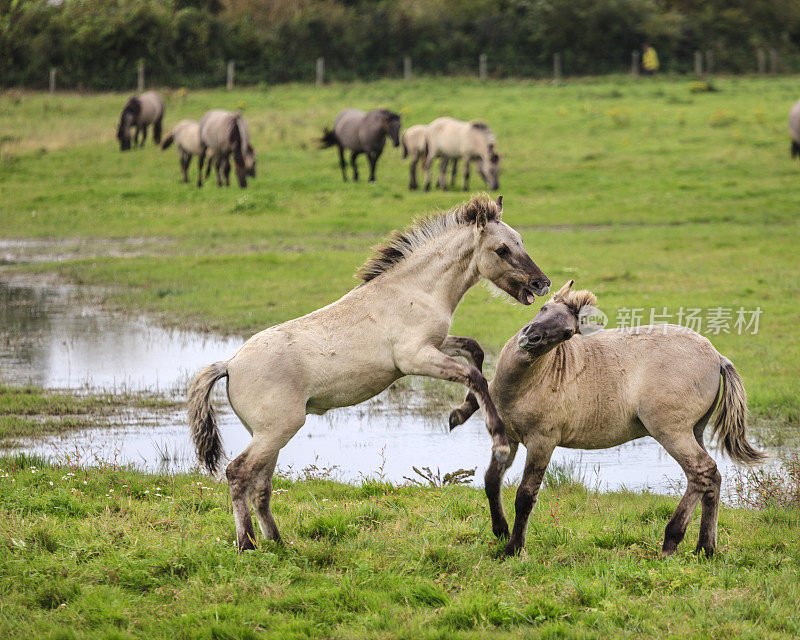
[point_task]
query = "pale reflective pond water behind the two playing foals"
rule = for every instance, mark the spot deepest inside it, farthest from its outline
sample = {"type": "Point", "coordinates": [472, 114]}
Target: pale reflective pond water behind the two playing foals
{"type": "Point", "coordinates": [49, 339]}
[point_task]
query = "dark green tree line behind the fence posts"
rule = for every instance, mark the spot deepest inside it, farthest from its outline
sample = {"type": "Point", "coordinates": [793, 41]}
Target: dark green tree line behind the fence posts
{"type": "Point", "coordinates": [97, 44]}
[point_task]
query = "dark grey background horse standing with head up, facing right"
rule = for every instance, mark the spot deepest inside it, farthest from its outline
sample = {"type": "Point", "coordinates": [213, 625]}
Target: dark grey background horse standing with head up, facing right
{"type": "Point", "coordinates": [362, 133]}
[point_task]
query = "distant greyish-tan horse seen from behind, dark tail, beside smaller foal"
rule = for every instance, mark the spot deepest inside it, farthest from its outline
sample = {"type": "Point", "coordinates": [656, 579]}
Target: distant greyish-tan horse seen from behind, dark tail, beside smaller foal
{"type": "Point", "coordinates": [225, 133]}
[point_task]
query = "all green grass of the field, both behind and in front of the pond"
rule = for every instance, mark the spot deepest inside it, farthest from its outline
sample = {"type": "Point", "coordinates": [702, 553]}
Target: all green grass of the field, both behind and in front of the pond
{"type": "Point", "coordinates": [646, 193]}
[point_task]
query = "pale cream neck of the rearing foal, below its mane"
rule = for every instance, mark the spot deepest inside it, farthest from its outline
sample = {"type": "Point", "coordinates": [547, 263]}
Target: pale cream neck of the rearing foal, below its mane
{"type": "Point", "coordinates": [443, 267]}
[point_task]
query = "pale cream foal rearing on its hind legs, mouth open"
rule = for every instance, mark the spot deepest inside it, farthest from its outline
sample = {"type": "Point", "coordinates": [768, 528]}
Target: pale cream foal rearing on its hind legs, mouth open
{"type": "Point", "coordinates": [394, 324]}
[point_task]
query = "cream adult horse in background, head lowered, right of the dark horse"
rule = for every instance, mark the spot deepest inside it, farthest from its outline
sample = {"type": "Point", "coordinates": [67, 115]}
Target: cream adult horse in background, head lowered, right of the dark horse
{"type": "Point", "coordinates": [451, 139]}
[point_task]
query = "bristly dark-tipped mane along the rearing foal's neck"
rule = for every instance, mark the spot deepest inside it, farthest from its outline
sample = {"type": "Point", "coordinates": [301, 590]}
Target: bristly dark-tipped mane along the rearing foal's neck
{"type": "Point", "coordinates": [401, 243]}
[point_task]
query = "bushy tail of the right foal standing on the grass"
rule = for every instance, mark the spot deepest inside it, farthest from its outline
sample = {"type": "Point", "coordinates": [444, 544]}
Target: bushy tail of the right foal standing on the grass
{"type": "Point", "coordinates": [730, 425]}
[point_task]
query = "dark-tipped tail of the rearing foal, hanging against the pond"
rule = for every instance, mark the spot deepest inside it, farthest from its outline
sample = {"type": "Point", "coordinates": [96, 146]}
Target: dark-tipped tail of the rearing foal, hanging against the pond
{"type": "Point", "coordinates": [203, 418]}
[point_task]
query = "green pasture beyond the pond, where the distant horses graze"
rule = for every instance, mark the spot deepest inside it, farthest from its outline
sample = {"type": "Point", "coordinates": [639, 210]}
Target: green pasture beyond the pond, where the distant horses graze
{"type": "Point", "coordinates": [646, 193]}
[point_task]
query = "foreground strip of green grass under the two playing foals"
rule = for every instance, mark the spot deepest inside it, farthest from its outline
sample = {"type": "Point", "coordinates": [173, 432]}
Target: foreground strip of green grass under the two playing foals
{"type": "Point", "coordinates": [110, 553]}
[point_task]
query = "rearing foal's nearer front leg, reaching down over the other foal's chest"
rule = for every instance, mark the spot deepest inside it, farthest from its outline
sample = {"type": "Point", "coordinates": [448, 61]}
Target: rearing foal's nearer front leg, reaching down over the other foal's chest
{"type": "Point", "coordinates": [430, 361]}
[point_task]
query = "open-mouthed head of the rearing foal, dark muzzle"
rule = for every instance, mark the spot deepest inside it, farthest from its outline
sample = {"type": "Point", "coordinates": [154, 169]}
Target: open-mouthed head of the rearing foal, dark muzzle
{"type": "Point", "coordinates": [502, 259]}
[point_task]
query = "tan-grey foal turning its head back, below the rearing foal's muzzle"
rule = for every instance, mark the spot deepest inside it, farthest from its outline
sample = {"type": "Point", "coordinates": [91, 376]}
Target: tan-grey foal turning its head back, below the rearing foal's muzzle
{"type": "Point", "coordinates": [554, 386]}
